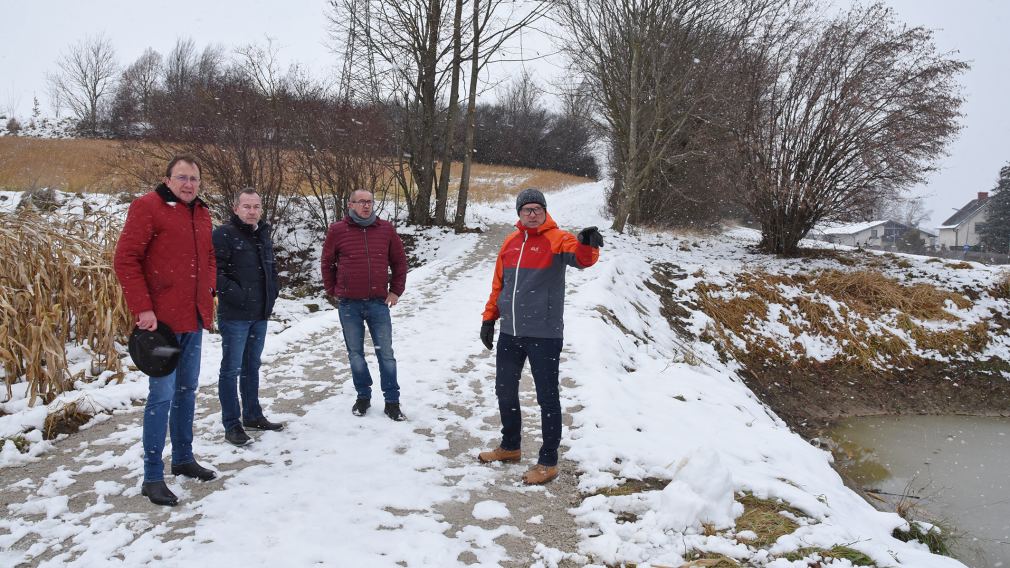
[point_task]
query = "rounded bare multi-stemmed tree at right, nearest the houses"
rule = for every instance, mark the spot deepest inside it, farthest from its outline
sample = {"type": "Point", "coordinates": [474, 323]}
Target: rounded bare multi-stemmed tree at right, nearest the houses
{"type": "Point", "coordinates": [841, 117]}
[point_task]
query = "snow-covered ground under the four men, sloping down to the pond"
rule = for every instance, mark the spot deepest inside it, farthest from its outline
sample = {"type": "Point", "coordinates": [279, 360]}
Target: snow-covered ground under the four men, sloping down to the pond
{"type": "Point", "coordinates": [338, 491]}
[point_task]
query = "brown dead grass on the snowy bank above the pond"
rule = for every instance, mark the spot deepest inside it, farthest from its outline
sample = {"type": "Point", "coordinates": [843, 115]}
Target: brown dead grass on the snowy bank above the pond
{"type": "Point", "coordinates": [740, 310]}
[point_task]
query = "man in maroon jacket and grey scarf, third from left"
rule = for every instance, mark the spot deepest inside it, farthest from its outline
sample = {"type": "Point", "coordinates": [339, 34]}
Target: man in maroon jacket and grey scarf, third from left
{"type": "Point", "coordinates": [364, 266]}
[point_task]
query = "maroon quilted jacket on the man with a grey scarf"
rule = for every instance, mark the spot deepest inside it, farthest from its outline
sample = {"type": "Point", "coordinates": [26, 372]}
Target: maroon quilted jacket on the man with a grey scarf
{"type": "Point", "coordinates": [357, 261]}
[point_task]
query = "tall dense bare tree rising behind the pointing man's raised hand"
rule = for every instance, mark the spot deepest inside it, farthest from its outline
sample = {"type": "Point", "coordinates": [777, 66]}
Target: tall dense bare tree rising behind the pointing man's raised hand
{"type": "Point", "coordinates": [649, 66]}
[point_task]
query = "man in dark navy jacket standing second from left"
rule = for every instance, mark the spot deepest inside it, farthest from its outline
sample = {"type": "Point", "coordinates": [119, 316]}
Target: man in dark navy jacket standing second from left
{"type": "Point", "coordinates": [247, 290]}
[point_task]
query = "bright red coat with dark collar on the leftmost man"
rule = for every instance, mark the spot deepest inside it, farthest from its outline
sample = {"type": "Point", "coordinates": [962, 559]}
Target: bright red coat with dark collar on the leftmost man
{"type": "Point", "coordinates": [165, 260]}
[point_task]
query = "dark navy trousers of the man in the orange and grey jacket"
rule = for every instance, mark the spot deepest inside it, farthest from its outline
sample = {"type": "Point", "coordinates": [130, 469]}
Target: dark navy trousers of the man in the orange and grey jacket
{"type": "Point", "coordinates": [545, 356]}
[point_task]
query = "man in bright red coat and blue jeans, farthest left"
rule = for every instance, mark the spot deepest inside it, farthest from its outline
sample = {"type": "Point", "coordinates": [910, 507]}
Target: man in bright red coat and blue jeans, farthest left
{"type": "Point", "coordinates": [165, 262]}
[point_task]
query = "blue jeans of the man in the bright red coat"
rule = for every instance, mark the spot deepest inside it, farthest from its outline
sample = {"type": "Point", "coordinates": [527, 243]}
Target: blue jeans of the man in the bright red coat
{"type": "Point", "coordinates": [171, 402]}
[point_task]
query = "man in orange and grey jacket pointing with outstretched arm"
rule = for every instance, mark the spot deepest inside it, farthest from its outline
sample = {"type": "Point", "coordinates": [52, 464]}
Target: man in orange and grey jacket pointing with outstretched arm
{"type": "Point", "coordinates": [529, 296]}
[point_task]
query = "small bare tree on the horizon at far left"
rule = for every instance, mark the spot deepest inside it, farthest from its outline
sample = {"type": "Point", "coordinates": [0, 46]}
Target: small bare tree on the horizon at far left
{"type": "Point", "coordinates": [86, 76]}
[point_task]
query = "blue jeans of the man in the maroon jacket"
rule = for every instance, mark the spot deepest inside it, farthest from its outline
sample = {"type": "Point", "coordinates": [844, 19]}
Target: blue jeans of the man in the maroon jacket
{"type": "Point", "coordinates": [354, 316]}
